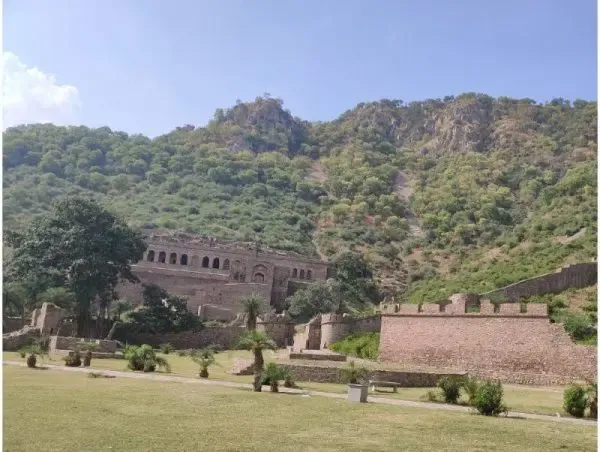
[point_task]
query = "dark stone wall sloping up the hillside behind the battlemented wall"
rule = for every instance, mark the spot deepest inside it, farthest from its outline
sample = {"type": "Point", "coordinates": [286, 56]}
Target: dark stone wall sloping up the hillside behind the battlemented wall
{"type": "Point", "coordinates": [573, 276]}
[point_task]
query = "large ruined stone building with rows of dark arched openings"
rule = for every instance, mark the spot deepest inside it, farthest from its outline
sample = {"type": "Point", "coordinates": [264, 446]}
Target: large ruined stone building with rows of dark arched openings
{"type": "Point", "coordinates": [214, 275]}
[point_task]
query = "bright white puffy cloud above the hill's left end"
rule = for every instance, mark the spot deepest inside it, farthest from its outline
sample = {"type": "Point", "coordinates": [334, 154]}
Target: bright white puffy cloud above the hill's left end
{"type": "Point", "coordinates": [33, 96]}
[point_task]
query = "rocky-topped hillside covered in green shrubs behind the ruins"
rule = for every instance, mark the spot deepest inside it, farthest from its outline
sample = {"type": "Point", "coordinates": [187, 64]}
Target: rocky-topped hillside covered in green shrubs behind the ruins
{"type": "Point", "coordinates": [464, 193]}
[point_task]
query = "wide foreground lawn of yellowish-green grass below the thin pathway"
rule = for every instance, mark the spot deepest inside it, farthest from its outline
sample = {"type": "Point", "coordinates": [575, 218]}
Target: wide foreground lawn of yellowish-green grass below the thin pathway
{"type": "Point", "coordinates": [59, 411]}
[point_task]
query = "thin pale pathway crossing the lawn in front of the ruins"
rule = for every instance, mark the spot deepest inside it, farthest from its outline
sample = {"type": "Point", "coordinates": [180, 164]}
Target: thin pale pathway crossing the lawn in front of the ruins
{"type": "Point", "coordinates": [230, 384]}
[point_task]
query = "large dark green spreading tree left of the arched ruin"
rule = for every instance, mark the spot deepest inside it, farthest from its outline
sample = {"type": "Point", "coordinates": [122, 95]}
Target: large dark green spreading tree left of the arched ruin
{"type": "Point", "coordinates": [80, 246]}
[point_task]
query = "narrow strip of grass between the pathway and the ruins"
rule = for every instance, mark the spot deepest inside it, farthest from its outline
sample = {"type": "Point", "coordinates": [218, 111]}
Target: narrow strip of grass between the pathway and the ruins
{"type": "Point", "coordinates": [537, 400]}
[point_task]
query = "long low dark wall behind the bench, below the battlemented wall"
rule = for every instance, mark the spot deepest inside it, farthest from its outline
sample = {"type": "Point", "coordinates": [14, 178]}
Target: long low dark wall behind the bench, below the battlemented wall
{"type": "Point", "coordinates": [324, 374]}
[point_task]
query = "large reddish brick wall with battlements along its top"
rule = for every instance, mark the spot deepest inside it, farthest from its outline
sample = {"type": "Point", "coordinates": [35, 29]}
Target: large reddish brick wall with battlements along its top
{"type": "Point", "coordinates": [486, 343]}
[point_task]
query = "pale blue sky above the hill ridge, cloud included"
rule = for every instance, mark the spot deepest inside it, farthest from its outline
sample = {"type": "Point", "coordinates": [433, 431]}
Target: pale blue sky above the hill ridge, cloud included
{"type": "Point", "coordinates": [147, 67]}
